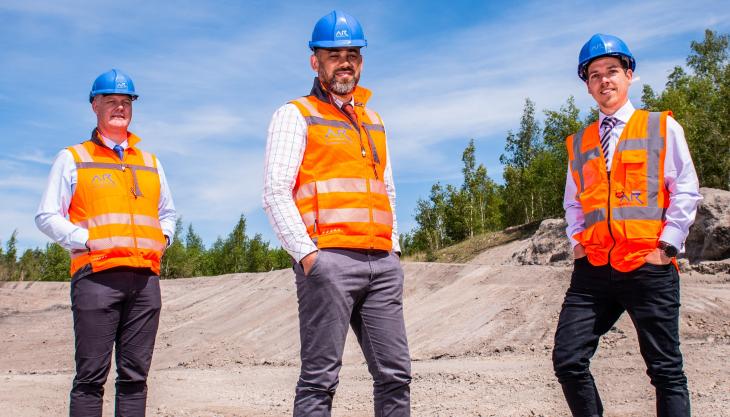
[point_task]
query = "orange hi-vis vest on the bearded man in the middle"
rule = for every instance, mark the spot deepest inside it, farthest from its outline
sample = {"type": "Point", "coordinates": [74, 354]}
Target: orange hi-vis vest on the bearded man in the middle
{"type": "Point", "coordinates": [339, 191]}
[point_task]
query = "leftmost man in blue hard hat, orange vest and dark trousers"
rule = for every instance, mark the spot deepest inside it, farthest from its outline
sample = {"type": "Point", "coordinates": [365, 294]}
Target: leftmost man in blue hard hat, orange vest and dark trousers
{"type": "Point", "coordinates": [108, 203]}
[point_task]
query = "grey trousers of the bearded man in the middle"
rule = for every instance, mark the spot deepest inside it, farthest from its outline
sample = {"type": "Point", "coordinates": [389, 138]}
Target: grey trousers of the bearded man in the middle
{"type": "Point", "coordinates": [362, 289]}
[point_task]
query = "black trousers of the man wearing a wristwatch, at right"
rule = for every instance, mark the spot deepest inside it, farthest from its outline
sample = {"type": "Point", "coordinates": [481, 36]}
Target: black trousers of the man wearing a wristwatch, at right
{"type": "Point", "coordinates": [595, 300]}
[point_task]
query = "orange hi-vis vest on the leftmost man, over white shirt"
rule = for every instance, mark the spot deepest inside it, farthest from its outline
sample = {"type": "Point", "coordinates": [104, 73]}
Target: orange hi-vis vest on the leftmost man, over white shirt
{"type": "Point", "coordinates": [118, 203]}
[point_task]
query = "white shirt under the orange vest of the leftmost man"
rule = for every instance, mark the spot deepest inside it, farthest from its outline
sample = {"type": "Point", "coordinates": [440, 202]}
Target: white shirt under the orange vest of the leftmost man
{"type": "Point", "coordinates": [52, 215]}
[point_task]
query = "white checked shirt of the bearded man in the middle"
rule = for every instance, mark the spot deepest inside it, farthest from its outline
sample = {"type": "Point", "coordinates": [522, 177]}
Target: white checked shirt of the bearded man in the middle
{"type": "Point", "coordinates": [287, 139]}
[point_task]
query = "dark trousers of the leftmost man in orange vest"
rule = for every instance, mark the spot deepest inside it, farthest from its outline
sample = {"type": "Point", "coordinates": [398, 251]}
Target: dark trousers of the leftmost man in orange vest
{"type": "Point", "coordinates": [118, 307]}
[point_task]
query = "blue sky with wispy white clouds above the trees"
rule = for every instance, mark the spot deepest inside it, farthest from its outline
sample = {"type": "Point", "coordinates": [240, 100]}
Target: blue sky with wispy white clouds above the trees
{"type": "Point", "coordinates": [211, 73]}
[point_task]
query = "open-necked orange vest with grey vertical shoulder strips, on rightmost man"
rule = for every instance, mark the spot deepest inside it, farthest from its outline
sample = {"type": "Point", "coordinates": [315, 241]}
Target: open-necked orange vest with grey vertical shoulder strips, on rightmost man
{"type": "Point", "coordinates": [624, 214]}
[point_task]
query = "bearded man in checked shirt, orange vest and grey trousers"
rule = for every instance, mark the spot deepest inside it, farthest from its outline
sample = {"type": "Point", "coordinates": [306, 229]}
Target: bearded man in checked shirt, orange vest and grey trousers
{"type": "Point", "coordinates": [330, 197]}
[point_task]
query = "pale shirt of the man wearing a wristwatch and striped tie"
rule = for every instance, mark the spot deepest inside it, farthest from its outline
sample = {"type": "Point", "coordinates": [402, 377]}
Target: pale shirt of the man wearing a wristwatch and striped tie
{"type": "Point", "coordinates": [680, 179]}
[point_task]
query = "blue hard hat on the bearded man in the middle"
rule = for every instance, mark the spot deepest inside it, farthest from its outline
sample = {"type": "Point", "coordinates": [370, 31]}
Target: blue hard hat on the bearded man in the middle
{"type": "Point", "coordinates": [337, 30]}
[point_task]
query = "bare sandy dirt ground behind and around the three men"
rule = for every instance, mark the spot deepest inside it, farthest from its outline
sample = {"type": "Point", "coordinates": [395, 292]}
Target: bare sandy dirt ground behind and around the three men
{"type": "Point", "coordinates": [480, 336]}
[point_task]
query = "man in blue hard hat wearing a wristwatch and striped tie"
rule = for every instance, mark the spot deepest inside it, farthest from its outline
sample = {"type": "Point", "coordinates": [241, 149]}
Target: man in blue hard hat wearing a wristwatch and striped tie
{"type": "Point", "coordinates": [631, 195]}
